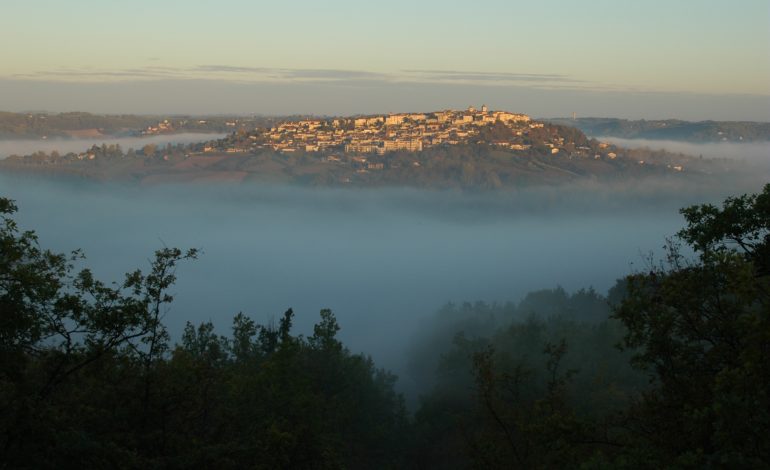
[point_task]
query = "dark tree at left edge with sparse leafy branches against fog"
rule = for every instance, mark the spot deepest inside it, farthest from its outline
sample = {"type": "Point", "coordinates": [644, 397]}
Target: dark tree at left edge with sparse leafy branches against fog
{"type": "Point", "coordinates": [57, 323]}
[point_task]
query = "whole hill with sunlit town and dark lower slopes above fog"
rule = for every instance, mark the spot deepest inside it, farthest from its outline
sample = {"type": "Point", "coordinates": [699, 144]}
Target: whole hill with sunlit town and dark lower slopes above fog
{"type": "Point", "coordinates": [470, 148]}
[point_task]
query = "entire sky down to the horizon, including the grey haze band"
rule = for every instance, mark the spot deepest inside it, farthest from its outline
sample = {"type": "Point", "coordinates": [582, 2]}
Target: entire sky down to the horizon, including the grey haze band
{"type": "Point", "coordinates": [653, 59]}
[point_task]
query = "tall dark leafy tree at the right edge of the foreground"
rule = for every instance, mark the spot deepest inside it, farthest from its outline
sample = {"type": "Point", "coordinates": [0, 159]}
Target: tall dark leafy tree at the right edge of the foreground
{"type": "Point", "coordinates": [702, 332]}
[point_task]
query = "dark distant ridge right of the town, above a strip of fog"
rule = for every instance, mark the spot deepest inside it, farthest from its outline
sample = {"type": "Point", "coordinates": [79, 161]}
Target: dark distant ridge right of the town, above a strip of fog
{"type": "Point", "coordinates": [671, 129]}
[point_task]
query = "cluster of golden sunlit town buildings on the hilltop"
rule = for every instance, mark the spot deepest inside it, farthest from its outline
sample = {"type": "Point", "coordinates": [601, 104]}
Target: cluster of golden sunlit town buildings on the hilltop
{"type": "Point", "coordinates": [356, 139]}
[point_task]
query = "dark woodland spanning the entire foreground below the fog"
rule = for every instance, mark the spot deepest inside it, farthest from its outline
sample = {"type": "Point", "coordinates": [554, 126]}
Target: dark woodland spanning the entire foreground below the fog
{"type": "Point", "coordinates": [670, 370]}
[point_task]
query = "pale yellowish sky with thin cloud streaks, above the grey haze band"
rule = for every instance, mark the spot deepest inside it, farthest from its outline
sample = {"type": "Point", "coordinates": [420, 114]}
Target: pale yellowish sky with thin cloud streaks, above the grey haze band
{"type": "Point", "coordinates": [547, 45]}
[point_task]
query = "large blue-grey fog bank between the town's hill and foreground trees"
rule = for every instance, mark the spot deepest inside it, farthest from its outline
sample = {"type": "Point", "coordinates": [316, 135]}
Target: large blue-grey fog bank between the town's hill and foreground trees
{"type": "Point", "coordinates": [381, 259]}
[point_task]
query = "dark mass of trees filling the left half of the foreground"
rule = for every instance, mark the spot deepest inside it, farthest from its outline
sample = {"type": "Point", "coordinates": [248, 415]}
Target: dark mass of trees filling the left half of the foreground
{"type": "Point", "coordinates": [89, 379]}
